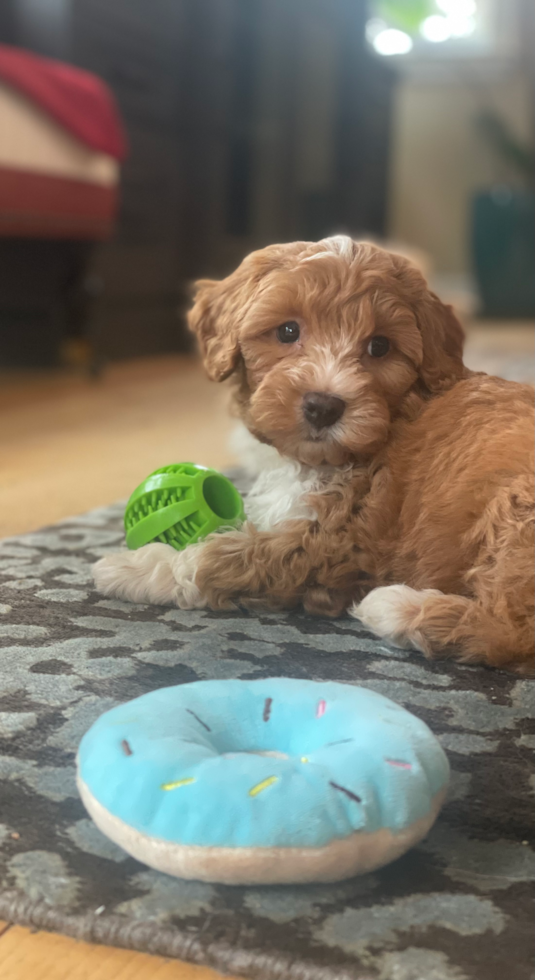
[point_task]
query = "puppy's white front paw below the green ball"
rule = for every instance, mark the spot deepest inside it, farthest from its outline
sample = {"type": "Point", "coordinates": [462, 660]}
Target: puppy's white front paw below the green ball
{"type": "Point", "coordinates": [155, 573]}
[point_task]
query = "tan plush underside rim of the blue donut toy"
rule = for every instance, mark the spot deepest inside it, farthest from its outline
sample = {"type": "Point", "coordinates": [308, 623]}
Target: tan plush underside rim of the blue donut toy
{"type": "Point", "coordinates": [361, 852]}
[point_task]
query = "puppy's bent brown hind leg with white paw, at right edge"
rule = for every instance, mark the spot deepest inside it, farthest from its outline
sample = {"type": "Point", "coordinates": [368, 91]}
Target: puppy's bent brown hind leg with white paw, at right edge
{"type": "Point", "coordinates": [494, 625]}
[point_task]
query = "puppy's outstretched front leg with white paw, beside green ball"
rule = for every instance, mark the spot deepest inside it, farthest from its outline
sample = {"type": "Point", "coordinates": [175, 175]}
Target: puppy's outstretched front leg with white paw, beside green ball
{"type": "Point", "coordinates": [276, 569]}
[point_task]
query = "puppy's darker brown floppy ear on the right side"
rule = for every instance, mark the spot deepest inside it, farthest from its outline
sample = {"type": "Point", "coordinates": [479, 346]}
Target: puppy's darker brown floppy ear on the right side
{"type": "Point", "coordinates": [443, 340]}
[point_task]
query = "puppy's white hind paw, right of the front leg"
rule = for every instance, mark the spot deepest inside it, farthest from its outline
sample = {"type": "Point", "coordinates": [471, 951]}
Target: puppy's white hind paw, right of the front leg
{"type": "Point", "coordinates": [390, 612]}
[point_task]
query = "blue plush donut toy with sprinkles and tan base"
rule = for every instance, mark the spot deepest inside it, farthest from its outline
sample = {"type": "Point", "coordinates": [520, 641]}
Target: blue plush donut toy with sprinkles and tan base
{"type": "Point", "coordinates": [262, 781]}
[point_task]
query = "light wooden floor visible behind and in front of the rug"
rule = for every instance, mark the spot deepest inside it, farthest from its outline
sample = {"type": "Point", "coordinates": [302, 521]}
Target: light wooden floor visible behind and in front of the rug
{"type": "Point", "coordinates": [68, 444]}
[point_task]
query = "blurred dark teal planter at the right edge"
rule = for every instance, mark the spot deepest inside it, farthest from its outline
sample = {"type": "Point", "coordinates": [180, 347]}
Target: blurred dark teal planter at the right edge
{"type": "Point", "coordinates": [503, 251]}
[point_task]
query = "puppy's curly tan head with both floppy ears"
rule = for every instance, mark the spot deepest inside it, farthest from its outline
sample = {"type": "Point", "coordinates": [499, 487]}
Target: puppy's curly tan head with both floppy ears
{"type": "Point", "coordinates": [323, 341]}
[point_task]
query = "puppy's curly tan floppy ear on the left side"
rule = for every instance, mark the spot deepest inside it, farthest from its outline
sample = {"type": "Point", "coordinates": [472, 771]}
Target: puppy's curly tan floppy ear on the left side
{"type": "Point", "coordinates": [219, 309]}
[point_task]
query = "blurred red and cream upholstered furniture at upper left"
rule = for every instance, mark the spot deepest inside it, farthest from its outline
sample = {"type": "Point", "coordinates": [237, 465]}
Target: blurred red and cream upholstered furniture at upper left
{"type": "Point", "coordinates": [61, 143]}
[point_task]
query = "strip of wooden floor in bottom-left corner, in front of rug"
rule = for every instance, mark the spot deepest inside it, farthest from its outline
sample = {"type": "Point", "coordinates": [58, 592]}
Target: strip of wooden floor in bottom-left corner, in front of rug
{"type": "Point", "coordinates": [47, 956]}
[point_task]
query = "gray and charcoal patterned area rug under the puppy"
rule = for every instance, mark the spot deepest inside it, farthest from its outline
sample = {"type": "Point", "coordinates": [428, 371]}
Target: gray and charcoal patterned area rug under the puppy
{"type": "Point", "coordinates": [458, 907]}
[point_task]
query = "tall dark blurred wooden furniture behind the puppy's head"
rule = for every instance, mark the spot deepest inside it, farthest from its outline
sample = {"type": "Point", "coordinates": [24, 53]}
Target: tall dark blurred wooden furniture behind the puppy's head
{"type": "Point", "coordinates": [249, 121]}
